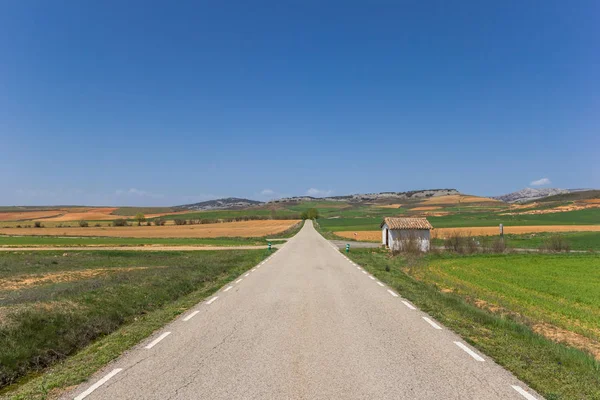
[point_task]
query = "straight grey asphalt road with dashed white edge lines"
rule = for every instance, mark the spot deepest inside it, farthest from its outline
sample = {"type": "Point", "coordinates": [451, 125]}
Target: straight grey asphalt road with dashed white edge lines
{"type": "Point", "coordinates": [305, 324]}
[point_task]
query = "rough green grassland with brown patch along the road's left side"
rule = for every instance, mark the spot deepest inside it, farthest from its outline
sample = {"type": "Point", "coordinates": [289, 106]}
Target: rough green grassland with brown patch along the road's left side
{"type": "Point", "coordinates": [52, 307]}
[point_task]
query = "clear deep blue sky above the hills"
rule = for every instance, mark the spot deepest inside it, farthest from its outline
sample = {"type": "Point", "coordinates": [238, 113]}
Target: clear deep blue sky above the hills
{"type": "Point", "coordinates": [163, 103]}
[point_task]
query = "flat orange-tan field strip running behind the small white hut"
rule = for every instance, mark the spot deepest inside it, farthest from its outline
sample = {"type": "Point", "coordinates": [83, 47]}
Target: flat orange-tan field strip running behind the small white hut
{"type": "Point", "coordinates": [375, 236]}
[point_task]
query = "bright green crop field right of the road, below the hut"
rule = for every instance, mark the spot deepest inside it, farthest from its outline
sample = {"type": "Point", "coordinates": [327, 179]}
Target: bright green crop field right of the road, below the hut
{"type": "Point", "coordinates": [558, 289]}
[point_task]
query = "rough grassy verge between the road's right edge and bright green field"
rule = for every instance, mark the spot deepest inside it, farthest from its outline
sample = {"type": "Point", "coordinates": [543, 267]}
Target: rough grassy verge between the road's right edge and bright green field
{"type": "Point", "coordinates": [554, 370]}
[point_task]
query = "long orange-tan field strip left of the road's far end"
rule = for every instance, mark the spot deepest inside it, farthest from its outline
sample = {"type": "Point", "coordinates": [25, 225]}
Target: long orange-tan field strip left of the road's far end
{"type": "Point", "coordinates": [227, 229]}
